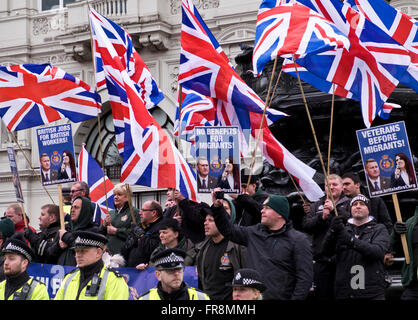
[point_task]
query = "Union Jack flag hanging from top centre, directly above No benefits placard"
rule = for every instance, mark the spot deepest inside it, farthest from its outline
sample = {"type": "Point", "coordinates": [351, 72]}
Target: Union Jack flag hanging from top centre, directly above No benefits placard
{"type": "Point", "coordinates": [205, 68]}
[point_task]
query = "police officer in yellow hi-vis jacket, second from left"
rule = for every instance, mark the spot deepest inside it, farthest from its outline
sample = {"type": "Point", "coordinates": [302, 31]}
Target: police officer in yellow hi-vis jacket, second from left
{"type": "Point", "coordinates": [92, 280]}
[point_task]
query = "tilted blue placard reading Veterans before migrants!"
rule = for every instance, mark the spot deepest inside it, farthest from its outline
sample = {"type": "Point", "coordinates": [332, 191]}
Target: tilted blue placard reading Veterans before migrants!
{"type": "Point", "coordinates": [387, 159]}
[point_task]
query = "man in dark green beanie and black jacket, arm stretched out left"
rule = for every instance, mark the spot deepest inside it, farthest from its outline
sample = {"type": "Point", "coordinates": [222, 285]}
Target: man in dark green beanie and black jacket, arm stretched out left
{"type": "Point", "coordinates": [274, 248]}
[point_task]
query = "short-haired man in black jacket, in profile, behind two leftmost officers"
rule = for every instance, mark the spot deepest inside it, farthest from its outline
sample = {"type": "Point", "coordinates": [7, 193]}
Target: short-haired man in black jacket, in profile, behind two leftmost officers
{"type": "Point", "coordinates": [40, 242]}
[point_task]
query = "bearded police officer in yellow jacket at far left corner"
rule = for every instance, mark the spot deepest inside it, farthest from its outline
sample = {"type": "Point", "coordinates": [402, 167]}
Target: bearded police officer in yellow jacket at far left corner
{"type": "Point", "coordinates": [18, 284]}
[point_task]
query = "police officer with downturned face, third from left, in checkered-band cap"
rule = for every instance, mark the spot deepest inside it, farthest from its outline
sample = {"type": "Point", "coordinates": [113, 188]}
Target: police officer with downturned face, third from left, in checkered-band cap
{"type": "Point", "coordinates": [169, 272]}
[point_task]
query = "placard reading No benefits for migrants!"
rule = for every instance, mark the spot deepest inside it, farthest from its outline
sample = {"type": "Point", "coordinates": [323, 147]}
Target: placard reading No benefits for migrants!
{"type": "Point", "coordinates": [217, 159]}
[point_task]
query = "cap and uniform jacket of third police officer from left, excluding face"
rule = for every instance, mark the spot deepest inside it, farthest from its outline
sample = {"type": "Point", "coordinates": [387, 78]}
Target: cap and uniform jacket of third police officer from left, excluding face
{"type": "Point", "coordinates": [172, 259]}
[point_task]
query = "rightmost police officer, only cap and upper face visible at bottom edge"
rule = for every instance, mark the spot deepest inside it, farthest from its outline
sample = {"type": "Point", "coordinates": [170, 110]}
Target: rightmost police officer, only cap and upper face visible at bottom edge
{"type": "Point", "coordinates": [247, 285]}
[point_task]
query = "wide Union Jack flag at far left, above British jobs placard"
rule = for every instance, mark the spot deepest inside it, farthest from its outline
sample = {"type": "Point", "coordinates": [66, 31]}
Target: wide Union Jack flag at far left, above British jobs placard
{"type": "Point", "coordinates": [33, 95]}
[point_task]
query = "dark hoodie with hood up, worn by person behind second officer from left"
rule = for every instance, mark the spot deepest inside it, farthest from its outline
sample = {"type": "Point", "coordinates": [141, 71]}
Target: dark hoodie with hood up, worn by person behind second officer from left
{"type": "Point", "coordinates": [84, 222]}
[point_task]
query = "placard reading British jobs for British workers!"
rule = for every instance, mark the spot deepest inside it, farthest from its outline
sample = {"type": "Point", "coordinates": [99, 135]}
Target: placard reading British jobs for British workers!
{"type": "Point", "coordinates": [56, 154]}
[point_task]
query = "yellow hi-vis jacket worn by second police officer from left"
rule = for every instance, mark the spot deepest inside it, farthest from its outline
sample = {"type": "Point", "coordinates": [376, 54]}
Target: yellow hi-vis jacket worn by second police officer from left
{"type": "Point", "coordinates": [112, 287]}
